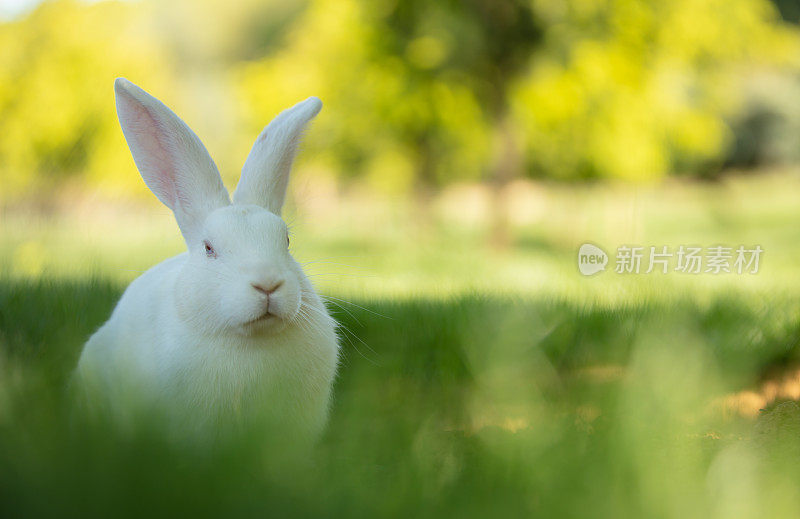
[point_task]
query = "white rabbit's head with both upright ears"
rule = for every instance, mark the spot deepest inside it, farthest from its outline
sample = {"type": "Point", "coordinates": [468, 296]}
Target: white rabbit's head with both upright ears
{"type": "Point", "coordinates": [239, 275]}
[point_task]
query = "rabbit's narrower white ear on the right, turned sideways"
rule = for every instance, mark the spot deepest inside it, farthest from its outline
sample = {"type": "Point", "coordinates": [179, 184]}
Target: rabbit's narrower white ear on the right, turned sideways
{"type": "Point", "coordinates": [265, 174]}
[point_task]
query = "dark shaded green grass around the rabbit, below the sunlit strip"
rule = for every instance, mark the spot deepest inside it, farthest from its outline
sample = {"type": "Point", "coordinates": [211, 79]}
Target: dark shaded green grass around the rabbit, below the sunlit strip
{"type": "Point", "coordinates": [465, 406]}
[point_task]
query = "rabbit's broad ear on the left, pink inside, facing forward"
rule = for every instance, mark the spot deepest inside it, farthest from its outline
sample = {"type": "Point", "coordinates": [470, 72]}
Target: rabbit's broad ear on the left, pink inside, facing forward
{"type": "Point", "coordinates": [171, 159]}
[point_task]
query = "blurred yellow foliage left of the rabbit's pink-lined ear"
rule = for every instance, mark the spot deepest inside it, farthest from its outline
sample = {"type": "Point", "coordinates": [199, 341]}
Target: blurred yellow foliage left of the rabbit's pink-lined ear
{"type": "Point", "coordinates": [57, 118]}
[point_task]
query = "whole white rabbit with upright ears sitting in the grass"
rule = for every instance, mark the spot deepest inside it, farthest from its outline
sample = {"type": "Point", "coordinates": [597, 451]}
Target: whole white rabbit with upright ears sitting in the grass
{"type": "Point", "coordinates": [232, 330]}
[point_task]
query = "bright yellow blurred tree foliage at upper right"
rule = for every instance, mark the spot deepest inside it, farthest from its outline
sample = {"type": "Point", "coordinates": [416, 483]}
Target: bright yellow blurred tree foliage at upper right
{"type": "Point", "coordinates": [635, 89]}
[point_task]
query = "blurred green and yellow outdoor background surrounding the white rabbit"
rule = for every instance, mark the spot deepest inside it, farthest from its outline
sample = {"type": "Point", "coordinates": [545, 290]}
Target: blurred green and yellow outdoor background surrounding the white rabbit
{"type": "Point", "coordinates": [465, 151]}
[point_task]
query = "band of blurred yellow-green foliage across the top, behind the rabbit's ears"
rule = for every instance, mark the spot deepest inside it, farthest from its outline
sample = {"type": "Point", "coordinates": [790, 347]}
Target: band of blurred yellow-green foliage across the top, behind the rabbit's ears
{"type": "Point", "coordinates": [417, 94]}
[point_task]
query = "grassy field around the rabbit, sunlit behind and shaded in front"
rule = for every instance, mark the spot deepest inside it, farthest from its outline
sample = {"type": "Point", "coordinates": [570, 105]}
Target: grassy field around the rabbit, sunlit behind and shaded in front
{"type": "Point", "coordinates": [473, 380]}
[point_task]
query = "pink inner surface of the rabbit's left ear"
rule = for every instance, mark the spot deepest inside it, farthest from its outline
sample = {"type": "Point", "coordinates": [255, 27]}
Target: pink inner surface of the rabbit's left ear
{"type": "Point", "coordinates": [151, 141]}
